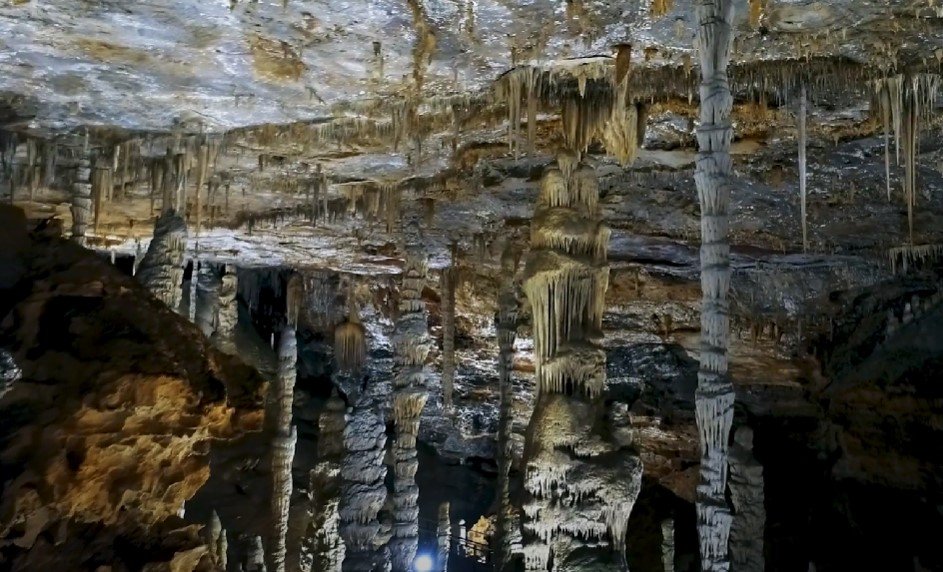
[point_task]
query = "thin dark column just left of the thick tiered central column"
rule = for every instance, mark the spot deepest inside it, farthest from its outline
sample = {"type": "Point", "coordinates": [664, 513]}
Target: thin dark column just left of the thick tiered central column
{"type": "Point", "coordinates": [507, 529]}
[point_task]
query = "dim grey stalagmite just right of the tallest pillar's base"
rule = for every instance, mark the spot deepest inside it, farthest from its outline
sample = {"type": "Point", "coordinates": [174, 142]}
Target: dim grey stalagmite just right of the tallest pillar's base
{"type": "Point", "coordinates": [746, 495]}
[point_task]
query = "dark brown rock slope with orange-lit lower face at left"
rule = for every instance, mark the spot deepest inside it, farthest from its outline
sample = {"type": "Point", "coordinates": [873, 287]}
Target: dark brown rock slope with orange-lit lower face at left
{"type": "Point", "coordinates": [119, 400]}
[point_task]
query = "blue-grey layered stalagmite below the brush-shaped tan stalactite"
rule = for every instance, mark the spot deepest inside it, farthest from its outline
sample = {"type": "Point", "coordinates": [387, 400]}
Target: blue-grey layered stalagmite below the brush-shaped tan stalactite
{"type": "Point", "coordinates": [363, 489]}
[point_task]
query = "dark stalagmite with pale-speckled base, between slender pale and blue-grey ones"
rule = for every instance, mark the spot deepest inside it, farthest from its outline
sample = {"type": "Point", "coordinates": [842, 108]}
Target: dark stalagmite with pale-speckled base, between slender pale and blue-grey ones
{"type": "Point", "coordinates": [322, 547]}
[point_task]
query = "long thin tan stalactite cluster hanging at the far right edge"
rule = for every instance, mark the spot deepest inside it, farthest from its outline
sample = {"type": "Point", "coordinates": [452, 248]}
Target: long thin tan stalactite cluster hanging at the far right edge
{"type": "Point", "coordinates": [904, 103]}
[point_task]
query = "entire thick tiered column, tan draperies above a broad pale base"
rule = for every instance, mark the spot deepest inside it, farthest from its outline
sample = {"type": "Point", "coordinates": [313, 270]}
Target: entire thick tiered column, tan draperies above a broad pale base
{"type": "Point", "coordinates": [581, 483]}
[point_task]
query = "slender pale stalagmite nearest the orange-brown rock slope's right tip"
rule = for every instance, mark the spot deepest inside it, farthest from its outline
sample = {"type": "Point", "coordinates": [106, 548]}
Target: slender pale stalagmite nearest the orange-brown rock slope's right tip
{"type": "Point", "coordinates": [283, 446]}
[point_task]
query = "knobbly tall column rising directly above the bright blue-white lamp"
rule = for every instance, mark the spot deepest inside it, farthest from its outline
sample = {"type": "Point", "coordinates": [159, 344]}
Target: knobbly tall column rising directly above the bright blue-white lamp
{"type": "Point", "coordinates": [411, 346]}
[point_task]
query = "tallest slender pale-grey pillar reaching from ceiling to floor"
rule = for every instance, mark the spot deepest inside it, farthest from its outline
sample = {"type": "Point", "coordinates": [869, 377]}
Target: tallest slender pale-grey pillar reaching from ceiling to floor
{"type": "Point", "coordinates": [714, 396]}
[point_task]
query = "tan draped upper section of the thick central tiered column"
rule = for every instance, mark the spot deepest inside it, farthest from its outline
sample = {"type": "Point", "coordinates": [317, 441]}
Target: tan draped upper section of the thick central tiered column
{"type": "Point", "coordinates": [566, 279]}
